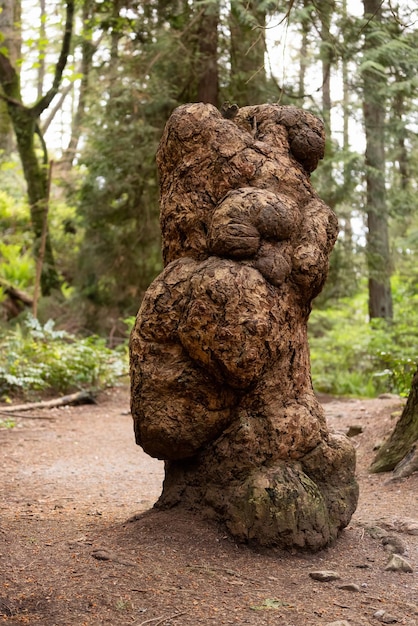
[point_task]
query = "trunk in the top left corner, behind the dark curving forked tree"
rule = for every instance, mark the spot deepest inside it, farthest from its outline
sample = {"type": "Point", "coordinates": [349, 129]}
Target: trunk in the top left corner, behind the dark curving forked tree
{"type": "Point", "coordinates": [10, 18]}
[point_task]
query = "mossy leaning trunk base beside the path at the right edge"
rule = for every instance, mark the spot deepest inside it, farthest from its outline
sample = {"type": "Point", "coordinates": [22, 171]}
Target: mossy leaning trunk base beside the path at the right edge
{"type": "Point", "coordinates": [404, 436]}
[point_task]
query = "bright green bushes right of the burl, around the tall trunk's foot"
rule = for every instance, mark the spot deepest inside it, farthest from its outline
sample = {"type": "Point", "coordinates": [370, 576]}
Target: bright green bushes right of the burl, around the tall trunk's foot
{"type": "Point", "coordinates": [352, 357]}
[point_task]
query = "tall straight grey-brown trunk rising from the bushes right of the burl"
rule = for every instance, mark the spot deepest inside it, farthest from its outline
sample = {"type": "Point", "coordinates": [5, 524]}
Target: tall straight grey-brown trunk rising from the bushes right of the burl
{"type": "Point", "coordinates": [378, 253]}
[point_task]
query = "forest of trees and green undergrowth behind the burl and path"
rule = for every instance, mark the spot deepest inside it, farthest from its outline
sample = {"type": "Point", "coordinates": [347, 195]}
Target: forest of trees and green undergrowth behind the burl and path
{"type": "Point", "coordinates": [86, 89]}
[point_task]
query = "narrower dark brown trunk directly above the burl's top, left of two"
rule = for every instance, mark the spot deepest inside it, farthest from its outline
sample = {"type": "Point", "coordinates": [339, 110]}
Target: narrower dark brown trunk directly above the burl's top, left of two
{"type": "Point", "coordinates": [208, 82]}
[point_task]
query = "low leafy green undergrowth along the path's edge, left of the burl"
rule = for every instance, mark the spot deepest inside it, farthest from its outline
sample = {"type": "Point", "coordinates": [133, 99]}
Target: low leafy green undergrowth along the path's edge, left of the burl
{"type": "Point", "coordinates": [35, 357]}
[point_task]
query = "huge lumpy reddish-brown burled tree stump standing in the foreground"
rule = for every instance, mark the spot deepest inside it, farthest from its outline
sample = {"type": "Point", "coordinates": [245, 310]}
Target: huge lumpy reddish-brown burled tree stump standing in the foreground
{"type": "Point", "coordinates": [220, 372]}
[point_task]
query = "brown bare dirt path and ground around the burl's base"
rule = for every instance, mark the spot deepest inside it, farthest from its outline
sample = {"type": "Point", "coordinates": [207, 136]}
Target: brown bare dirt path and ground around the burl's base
{"type": "Point", "coordinates": [81, 544]}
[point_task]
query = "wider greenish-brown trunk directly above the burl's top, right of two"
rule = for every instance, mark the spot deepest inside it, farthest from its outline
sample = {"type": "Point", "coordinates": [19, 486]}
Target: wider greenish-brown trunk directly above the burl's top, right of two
{"type": "Point", "coordinates": [248, 76]}
